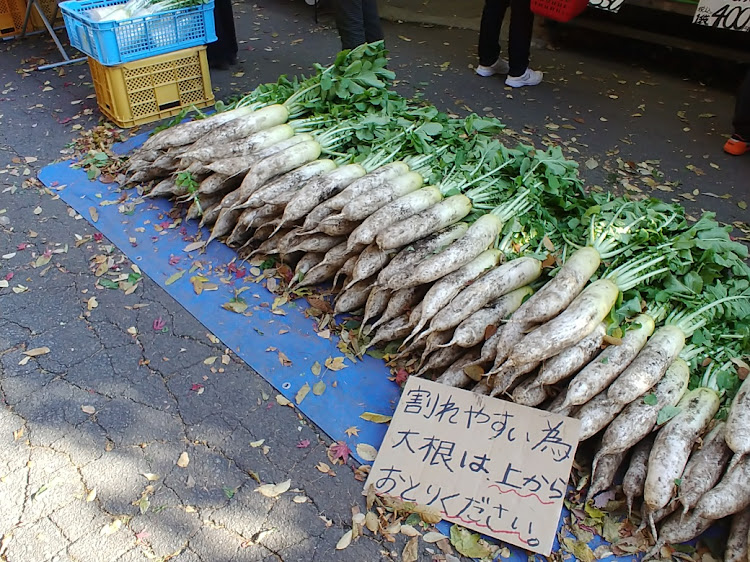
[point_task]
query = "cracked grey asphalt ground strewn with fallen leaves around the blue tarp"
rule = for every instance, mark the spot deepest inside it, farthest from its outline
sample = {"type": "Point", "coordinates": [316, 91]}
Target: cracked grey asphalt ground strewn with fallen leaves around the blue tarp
{"type": "Point", "coordinates": [98, 423]}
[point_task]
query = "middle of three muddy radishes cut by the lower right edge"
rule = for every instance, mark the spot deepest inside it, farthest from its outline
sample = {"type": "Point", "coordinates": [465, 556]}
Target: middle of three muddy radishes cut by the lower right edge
{"type": "Point", "coordinates": [731, 495]}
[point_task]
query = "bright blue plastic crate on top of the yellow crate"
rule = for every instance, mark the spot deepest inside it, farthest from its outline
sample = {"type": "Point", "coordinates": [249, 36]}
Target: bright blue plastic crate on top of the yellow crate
{"type": "Point", "coordinates": [116, 42]}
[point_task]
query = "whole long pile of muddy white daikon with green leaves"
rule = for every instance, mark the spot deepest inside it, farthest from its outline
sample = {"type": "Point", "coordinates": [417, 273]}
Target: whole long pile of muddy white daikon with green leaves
{"type": "Point", "coordinates": [501, 276]}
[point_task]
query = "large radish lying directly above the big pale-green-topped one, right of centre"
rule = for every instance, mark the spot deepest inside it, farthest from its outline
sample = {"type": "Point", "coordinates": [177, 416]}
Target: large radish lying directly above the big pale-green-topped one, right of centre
{"type": "Point", "coordinates": [558, 293]}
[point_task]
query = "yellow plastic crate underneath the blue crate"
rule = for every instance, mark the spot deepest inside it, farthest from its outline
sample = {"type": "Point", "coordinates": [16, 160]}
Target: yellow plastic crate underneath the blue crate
{"type": "Point", "coordinates": [150, 89]}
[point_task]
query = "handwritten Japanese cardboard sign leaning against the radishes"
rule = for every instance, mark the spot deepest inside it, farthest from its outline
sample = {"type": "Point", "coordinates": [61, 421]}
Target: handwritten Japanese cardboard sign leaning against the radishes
{"type": "Point", "coordinates": [486, 464]}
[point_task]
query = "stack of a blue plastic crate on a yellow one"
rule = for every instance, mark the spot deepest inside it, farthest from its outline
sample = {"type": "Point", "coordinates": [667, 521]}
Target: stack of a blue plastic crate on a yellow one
{"type": "Point", "coordinates": [146, 68]}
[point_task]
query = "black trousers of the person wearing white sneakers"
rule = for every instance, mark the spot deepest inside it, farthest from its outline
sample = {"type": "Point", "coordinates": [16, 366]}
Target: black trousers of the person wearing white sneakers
{"type": "Point", "coordinates": [519, 42]}
